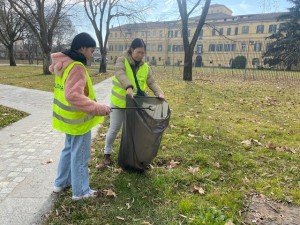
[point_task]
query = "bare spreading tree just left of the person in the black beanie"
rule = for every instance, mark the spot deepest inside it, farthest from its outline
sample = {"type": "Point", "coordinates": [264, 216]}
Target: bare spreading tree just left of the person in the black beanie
{"type": "Point", "coordinates": [42, 19]}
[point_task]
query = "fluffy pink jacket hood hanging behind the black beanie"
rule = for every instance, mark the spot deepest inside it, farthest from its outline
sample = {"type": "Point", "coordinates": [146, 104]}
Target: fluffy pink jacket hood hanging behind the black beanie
{"type": "Point", "coordinates": [60, 61]}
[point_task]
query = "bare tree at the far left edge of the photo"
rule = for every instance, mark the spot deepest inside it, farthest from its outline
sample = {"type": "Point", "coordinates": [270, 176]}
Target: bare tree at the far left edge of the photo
{"type": "Point", "coordinates": [11, 29]}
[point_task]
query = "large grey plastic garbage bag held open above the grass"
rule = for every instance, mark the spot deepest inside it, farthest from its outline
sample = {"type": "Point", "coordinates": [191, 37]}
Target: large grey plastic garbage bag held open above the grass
{"type": "Point", "coordinates": [142, 131]}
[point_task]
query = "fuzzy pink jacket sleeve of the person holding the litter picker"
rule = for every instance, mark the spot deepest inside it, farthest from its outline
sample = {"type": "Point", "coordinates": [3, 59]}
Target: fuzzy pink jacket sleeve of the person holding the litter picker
{"type": "Point", "coordinates": [76, 92]}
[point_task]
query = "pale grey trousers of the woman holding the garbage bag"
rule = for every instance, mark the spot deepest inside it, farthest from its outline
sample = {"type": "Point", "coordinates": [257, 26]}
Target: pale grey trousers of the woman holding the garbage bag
{"type": "Point", "coordinates": [116, 121]}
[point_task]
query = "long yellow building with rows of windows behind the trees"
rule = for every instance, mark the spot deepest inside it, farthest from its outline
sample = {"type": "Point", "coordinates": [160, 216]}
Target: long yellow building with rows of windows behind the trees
{"type": "Point", "coordinates": [222, 38]}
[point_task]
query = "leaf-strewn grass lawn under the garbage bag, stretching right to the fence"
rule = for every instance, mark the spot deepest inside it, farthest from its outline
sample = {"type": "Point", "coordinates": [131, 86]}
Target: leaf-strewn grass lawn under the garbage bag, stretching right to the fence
{"type": "Point", "coordinates": [227, 139]}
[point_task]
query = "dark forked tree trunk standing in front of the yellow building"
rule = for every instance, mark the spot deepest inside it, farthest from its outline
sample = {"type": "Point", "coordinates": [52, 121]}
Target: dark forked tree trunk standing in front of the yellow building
{"type": "Point", "coordinates": [189, 46]}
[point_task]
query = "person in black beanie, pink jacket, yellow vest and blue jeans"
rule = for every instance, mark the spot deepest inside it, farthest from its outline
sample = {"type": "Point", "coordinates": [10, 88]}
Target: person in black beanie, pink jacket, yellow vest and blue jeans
{"type": "Point", "coordinates": [75, 112]}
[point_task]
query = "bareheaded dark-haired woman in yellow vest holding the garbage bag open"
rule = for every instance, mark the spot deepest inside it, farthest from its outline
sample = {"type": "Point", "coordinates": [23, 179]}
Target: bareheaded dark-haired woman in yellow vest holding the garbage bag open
{"type": "Point", "coordinates": [131, 78]}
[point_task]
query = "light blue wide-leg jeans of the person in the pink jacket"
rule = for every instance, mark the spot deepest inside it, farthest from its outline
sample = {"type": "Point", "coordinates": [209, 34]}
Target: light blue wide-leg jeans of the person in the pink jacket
{"type": "Point", "coordinates": [73, 164]}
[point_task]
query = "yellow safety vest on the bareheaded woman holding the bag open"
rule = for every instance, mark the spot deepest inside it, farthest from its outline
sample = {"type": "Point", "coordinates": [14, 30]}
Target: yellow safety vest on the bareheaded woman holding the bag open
{"type": "Point", "coordinates": [118, 93]}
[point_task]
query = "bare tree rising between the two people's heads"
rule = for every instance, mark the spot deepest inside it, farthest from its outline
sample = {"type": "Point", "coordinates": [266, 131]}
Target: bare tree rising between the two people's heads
{"type": "Point", "coordinates": [101, 13]}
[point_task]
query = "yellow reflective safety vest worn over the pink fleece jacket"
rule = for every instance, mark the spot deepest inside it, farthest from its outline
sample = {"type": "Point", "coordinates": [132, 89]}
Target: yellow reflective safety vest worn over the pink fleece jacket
{"type": "Point", "coordinates": [66, 118]}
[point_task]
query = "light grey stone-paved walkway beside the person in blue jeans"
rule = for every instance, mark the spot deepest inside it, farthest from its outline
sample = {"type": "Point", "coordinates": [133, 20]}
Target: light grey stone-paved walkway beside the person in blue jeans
{"type": "Point", "coordinates": [25, 182]}
